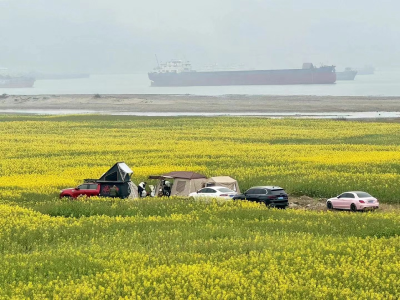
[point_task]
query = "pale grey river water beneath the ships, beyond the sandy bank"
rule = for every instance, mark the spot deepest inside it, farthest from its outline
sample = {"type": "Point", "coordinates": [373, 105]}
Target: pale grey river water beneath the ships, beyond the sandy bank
{"type": "Point", "coordinates": [382, 83]}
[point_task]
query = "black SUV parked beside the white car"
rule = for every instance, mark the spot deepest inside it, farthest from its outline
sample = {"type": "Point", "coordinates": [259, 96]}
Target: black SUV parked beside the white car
{"type": "Point", "coordinates": [271, 196]}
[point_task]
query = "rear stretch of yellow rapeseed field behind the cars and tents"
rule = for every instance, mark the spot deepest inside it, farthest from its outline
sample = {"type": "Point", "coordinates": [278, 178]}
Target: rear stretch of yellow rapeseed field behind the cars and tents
{"type": "Point", "coordinates": [307, 157]}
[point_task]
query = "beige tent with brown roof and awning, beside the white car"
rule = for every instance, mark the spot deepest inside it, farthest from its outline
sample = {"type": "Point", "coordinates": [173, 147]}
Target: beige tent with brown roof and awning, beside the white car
{"type": "Point", "coordinates": [184, 182]}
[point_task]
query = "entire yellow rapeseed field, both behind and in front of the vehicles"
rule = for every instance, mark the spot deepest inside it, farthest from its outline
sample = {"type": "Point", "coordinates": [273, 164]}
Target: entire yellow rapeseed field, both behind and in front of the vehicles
{"type": "Point", "coordinates": [182, 249]}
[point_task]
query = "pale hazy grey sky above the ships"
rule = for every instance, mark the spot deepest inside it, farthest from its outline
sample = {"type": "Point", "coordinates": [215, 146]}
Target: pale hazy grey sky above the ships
{"type": "Point", "coordinates": [122, 36]}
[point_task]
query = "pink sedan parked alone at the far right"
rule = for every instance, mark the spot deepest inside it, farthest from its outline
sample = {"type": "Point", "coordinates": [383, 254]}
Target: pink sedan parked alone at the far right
{"type": "Point", "coordinates": [353, 201]}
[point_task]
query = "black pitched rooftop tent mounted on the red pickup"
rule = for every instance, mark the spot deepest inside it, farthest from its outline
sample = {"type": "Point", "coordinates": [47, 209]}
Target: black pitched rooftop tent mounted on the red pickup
{"type": "Point", "coordinates": [120, 176]}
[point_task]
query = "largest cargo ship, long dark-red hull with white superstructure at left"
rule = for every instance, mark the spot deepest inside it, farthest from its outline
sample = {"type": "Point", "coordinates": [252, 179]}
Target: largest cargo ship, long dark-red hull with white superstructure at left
{"type": "Point", "coordinates": [180, 73]}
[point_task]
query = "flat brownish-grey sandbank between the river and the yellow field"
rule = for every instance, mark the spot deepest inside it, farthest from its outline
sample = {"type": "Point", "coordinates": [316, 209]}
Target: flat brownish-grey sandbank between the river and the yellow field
{"type": "Point", "coordinates": [193, 103]}
